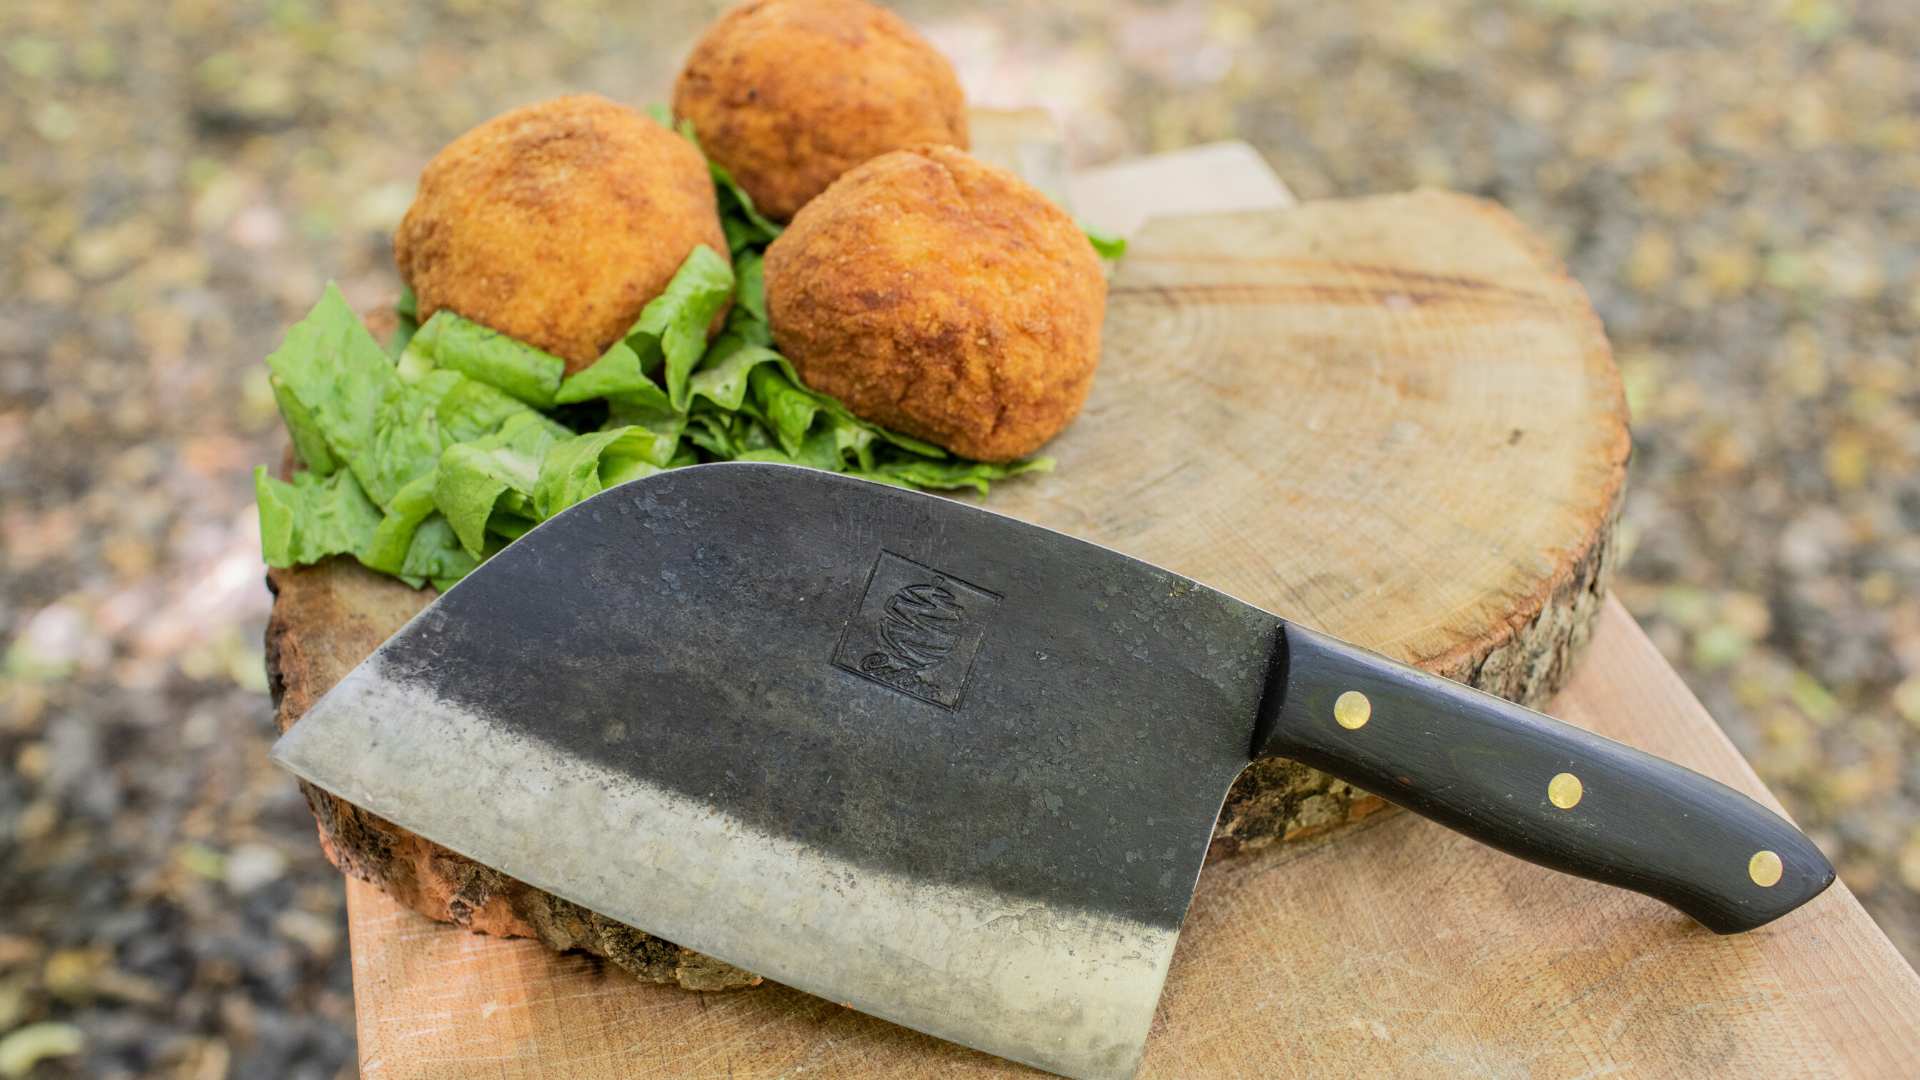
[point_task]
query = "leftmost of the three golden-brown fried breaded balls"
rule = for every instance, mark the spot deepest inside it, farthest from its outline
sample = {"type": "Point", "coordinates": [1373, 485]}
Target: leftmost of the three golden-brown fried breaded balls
{"type": "Point", "coordinates": [556, 224]}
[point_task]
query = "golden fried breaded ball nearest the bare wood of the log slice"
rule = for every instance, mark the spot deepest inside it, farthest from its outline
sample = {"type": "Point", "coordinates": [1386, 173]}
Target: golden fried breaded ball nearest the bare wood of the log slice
{"type": "Point", "coordinates": [942, 297]}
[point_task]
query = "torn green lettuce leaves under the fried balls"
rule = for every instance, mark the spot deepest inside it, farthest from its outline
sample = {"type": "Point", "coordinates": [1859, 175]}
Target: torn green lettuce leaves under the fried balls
{"type": "Point", "coordinates": [427, 456]}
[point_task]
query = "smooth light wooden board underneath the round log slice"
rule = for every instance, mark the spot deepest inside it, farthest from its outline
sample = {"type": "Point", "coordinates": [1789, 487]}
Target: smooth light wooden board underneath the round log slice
{"type": "Point", "coordinates": [1389, 950]}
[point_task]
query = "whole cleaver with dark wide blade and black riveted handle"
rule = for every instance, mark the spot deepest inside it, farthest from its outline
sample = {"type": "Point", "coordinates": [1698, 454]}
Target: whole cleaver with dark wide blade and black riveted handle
{"type": "Point", "coordinates": [944, 766]}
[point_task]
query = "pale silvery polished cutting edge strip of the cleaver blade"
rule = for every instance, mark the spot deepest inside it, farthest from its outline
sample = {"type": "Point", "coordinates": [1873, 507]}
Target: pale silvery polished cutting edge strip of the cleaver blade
{"type": "Point", "coordinates": [1045, 985]}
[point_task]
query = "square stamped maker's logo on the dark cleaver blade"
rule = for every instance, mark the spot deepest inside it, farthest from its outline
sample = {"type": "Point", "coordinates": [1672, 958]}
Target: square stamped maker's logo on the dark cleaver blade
{"type": "Point", "coordinates": [917, 631]}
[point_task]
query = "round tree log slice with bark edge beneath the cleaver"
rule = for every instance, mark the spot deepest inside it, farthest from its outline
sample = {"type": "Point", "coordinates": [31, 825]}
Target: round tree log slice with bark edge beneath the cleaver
{"type": "Point", "coordinates": [1395, 420]}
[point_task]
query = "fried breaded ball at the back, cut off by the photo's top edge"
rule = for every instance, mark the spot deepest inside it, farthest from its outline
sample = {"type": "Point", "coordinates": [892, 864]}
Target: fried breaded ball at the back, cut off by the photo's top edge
{"type": "Point", "coordinates": [790, 95]}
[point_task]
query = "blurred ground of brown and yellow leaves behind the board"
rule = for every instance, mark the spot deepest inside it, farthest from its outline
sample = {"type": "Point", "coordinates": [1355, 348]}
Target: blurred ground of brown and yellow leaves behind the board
{"type": "Point", "coordinates": [1735, 182]}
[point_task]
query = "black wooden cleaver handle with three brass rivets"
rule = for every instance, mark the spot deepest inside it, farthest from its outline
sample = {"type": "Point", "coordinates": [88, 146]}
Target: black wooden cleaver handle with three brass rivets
{"type": "Point", "coordinates": [1535, 787]}
